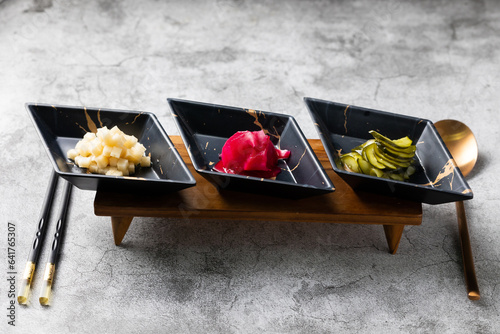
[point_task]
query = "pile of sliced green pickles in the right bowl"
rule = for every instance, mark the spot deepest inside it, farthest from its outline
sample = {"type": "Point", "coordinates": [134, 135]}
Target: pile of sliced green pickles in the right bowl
{"type": "Point", "coordinates": [381, 157]}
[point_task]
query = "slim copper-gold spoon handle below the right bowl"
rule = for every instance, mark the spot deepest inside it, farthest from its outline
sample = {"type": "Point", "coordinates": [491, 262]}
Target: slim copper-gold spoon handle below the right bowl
{"type": "Point", "coordinates": [469, 271]}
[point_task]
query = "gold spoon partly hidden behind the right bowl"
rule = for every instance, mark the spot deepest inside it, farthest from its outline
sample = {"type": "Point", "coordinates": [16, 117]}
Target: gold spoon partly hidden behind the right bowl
{"type": "Point", "coordinates": [463, 147]}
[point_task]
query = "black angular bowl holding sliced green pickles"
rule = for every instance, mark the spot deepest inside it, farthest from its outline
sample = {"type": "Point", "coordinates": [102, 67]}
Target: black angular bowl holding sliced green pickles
{"type": "Point", "coordinates": [342, 127]}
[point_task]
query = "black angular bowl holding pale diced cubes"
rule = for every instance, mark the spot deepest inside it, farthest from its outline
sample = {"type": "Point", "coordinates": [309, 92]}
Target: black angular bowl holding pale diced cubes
{"type": "Point", "coordinates": [61, 127]}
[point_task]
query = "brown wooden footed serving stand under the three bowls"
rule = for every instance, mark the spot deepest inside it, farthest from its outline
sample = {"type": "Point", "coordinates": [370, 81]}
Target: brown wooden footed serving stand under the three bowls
{"type": "Point", "coordinates": [203, 201]}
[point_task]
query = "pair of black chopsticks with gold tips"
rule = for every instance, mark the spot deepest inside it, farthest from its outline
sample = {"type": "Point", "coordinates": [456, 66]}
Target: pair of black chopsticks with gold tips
{"type": "Point", "coordinates": [34, 255]}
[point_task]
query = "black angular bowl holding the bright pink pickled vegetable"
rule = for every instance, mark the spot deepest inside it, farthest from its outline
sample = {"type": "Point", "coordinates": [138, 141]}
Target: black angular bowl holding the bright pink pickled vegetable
{"type": "Point", "coordinates": [206, 127]}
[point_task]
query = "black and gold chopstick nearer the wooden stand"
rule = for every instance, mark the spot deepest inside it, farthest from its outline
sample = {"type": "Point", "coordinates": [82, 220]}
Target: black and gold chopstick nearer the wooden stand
{"type": "Point", "coordinates": [50, 268]}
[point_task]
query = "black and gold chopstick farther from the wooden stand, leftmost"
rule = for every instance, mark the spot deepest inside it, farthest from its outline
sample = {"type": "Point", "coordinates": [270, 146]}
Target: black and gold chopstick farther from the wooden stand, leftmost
{"type": "Point", "coordinates": [37, 244]}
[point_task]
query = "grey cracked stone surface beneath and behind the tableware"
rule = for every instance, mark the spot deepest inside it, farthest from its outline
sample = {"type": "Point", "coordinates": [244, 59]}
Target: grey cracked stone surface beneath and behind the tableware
{"type": "Point", "coordinates": [430, 59]}
